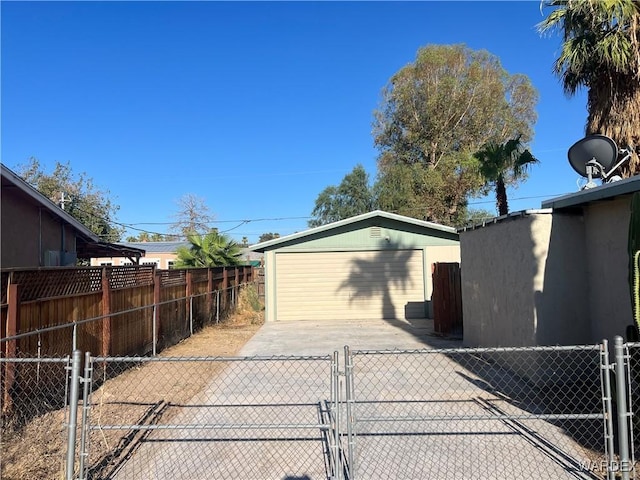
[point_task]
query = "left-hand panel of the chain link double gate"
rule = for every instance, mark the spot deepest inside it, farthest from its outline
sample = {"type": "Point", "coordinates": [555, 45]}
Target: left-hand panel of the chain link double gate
{"type": "Point", "coordinates": [271, 417]}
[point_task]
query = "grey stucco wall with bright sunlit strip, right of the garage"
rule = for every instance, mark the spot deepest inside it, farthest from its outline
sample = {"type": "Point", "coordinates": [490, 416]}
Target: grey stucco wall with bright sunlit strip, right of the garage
{"type": "Point", "coordinates": [523, 282]}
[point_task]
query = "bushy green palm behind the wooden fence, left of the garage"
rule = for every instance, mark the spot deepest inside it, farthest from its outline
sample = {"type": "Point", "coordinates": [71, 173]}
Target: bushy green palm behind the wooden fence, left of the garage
{"type": "Point", "coordinates": [211, 250]}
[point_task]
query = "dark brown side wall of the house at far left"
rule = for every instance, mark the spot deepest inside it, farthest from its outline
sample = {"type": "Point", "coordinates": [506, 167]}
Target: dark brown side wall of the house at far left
{"type": "Point", "coordinates": [29, 232]}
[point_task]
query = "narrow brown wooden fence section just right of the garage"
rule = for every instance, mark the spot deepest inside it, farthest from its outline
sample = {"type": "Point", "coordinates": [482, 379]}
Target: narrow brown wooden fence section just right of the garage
{"type": "Point", "coordinates": [447, 299]}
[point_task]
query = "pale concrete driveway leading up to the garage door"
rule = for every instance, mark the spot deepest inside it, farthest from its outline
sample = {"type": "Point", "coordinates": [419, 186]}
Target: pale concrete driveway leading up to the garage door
{"type": "Point", "coordinates": [267, 419]}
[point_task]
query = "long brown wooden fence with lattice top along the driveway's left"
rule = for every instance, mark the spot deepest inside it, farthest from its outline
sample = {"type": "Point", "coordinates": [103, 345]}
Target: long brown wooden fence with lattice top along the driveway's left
{"type": "Point", "coordinates": [110, 310]}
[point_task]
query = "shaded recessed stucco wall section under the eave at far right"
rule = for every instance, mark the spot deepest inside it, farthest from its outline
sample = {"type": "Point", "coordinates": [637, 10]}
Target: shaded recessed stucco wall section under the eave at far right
{"type": "Point", "coordinates": [607, 230]}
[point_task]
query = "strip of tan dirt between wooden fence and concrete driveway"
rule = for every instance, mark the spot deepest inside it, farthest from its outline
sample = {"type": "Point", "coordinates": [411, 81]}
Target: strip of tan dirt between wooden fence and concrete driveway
{"type": "Point", "coordinates": [38, 450]}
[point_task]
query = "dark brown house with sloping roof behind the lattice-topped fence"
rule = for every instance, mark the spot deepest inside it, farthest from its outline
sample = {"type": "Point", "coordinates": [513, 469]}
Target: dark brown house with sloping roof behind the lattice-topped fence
{"type": "Point", "coordinates": [38, 233]}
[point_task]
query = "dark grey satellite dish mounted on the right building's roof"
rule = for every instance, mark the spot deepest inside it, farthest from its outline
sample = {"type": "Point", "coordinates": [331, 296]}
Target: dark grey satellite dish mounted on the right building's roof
{"type": "Point", "coordinates": [595, 156]}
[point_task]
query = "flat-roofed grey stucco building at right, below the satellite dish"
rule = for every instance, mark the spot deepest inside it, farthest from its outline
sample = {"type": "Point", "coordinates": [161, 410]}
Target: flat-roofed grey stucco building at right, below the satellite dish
{"type": "Point", "coordinates": [555, 276]}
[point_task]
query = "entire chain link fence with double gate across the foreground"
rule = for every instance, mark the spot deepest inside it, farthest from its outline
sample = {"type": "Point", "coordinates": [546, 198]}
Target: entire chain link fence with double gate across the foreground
{"type": "Point", "coordinates": [539, 412]}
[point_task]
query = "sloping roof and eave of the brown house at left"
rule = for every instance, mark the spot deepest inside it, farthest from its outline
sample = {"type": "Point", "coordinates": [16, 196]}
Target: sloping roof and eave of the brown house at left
{"type": "Point", "coordinates": [90, 244]}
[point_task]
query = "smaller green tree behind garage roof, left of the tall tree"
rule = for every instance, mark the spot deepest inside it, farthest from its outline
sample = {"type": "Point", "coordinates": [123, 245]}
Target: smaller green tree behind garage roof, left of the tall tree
{"type": "Point", "coordinates": [353, 196]}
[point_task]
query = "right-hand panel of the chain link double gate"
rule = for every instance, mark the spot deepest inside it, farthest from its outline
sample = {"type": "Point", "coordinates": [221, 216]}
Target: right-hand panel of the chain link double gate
{"type": "Point", "coordinates": [535, 412]}
